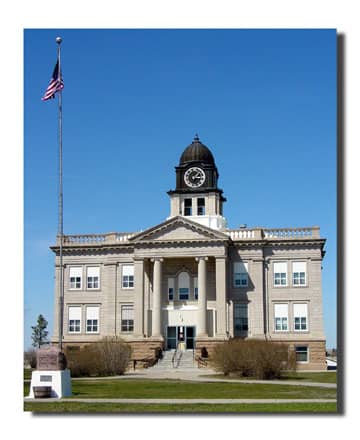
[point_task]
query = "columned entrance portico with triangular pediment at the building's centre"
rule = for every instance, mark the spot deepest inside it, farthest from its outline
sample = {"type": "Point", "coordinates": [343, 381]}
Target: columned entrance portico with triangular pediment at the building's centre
{"type": "Point", "coordinates": [187, 281]}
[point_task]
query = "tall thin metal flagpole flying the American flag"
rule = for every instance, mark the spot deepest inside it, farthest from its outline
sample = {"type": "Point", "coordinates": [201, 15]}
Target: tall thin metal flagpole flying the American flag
{"type": "Point", "coordinates": [60, 221]}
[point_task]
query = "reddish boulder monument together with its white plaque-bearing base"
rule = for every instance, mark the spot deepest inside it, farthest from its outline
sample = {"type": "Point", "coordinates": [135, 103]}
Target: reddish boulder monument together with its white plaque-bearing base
{"type": "Point", "coordinates": [51, 374]}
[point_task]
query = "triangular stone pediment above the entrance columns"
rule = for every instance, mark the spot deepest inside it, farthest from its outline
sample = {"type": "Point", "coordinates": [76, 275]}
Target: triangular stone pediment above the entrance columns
{"type": "Point", "coordinates": [179, 229]}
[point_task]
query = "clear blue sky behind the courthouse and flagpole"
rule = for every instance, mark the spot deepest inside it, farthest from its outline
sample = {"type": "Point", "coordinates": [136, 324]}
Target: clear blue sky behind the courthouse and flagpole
{"type": "Point", "coordinates": [264, 101]}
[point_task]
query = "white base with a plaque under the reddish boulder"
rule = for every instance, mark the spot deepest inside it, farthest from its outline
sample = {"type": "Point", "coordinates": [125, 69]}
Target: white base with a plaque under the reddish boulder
{"type": "Point", "coordinates": [59, 380]}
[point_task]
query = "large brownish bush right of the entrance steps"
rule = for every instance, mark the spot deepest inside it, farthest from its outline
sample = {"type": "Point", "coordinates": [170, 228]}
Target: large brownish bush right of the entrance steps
{"type": "Point", "coordinates": [253, 358]}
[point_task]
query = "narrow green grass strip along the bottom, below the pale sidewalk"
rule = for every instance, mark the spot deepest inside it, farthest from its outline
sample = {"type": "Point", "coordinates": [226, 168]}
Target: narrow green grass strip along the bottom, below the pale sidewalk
{"type": "Point", "coordinates": [78, 407]}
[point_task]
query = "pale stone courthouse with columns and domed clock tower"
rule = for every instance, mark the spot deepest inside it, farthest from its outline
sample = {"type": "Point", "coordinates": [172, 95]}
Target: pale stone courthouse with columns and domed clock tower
{"type": "Point", "coordinates": [192, 280]}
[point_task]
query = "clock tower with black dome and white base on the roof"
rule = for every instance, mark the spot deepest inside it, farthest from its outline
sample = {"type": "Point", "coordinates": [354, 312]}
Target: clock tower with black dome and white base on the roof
{"type": "Point", "coordinates": [197, 195]}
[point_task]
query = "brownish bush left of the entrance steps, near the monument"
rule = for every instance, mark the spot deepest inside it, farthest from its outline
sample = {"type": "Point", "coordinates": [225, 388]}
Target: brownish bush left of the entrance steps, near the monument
{"type": "Point", "coordinates": [108, 357]}
